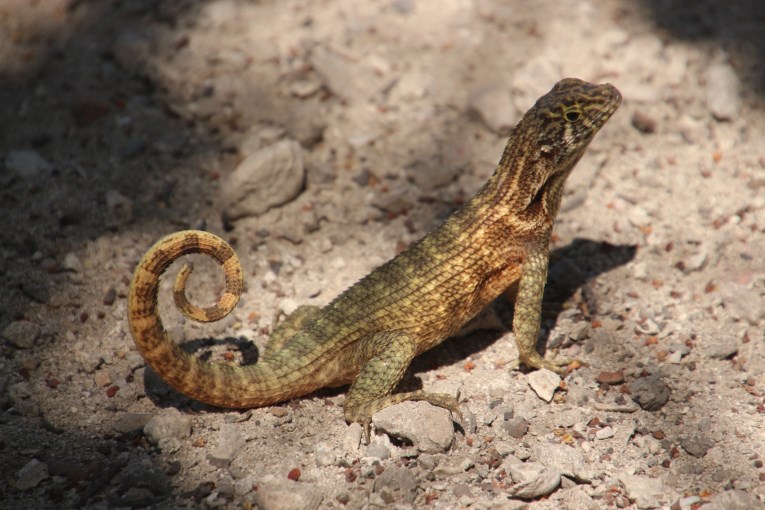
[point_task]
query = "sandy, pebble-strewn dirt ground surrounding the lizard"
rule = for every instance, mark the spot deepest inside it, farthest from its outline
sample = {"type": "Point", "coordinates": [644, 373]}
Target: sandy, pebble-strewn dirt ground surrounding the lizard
{"type": "Point", "coordinates": [123, 120]}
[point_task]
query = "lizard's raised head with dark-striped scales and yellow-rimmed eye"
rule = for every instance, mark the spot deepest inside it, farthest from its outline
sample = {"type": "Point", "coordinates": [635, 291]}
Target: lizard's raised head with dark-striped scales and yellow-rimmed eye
{"type": "Point", "coordinates": [568, 118]}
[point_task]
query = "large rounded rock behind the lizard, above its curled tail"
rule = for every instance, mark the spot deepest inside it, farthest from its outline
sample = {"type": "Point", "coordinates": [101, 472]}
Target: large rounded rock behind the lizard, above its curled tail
{"type": "Point", "coordinates": [268, 178]}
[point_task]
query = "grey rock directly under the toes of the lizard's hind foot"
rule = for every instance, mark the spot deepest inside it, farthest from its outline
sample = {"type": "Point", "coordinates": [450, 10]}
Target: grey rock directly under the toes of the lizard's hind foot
{"type": "Point", "coordinates": [428, 428]}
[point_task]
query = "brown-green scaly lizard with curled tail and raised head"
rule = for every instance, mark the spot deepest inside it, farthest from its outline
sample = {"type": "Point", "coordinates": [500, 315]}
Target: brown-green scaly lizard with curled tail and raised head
{"type": "Point", "coordinates": [369, 334]}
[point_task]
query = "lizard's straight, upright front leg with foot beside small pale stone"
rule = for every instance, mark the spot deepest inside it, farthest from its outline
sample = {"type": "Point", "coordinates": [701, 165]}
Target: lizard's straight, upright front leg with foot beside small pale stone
{"type": "Point", "coordinates": [528, 309]}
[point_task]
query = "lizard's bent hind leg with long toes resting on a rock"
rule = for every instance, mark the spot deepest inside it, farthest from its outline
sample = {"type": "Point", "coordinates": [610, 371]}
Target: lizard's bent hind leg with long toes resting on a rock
{"type": "Point", "coordinates": [389, 354]}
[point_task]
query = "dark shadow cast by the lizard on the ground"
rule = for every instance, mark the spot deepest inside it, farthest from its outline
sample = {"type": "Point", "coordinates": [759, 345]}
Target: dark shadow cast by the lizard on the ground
{"type": "Point", "coordinates": [572, 267]}
